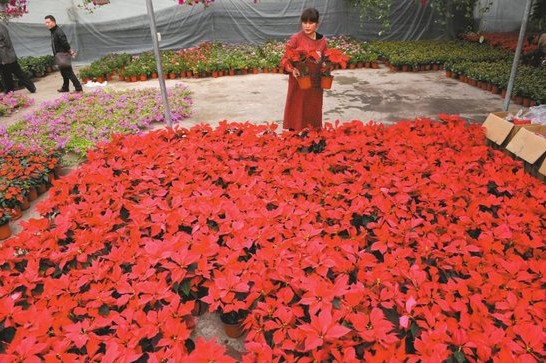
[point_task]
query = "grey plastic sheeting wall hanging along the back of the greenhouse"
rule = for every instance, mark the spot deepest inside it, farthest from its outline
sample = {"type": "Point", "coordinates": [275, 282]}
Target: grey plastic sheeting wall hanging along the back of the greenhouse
{"type": "Point", "coordinates": [123, 25]}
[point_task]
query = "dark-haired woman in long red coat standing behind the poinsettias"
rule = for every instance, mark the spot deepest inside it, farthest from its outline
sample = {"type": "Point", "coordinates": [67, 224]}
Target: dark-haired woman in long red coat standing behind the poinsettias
{"type": "Point", "coordinates": [304, 106]}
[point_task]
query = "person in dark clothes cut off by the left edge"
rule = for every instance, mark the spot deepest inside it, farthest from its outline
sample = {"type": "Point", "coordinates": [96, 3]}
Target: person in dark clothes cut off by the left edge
{"type": "Point", "coordinates": [9, 65]}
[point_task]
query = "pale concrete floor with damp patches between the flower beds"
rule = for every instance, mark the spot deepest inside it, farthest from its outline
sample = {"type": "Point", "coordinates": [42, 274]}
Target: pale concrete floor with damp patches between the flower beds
{"type": "Point", "coordinates": [360, 94]}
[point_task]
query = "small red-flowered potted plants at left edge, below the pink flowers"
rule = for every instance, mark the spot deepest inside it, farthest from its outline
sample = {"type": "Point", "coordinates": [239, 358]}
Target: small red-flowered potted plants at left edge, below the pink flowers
{"type": "Point", "coordinates": [24, 174]}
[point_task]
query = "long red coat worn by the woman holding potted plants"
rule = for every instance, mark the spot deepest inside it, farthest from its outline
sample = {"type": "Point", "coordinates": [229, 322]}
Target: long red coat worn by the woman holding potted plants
{"type": "Point", "coordinates": [304, 107]}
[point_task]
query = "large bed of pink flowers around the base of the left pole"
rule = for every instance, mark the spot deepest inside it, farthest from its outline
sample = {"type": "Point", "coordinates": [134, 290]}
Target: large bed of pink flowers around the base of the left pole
{"type": "Point", "coordinates": [75, 123]}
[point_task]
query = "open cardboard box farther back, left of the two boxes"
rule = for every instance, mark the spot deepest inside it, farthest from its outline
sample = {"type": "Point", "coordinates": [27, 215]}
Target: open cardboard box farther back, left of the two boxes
{"type": "Point", "coordinates": [501, 132]}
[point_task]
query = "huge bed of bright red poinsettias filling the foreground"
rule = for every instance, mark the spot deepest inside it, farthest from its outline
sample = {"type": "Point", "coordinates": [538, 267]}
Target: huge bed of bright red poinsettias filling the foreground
{"type": "Point", "coordinates": [409, 243]}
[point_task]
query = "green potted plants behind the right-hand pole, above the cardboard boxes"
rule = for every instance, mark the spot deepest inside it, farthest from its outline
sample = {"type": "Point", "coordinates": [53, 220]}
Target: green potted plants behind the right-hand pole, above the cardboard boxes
{"type": "Point", "coordinates": [529, 87]}
